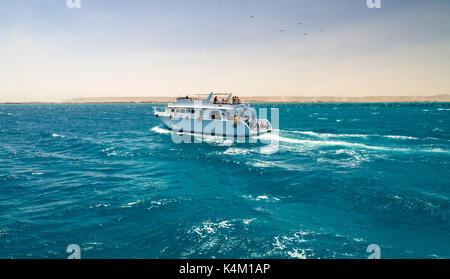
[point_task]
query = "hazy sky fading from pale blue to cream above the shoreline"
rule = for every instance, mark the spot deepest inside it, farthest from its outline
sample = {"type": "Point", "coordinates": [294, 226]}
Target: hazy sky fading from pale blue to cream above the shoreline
{"type": "Point", "coordinates": [49, 52]}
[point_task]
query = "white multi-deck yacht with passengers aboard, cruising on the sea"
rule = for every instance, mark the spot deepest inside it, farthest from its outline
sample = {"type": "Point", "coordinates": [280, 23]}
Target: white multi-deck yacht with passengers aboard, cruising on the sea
{"type": "Point", "coordinates": [217, 114]}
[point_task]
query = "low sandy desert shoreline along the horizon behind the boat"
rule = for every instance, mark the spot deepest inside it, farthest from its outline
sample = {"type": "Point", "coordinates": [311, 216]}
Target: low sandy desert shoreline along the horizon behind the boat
{"type": "Point", "coordinates": [259, 99]}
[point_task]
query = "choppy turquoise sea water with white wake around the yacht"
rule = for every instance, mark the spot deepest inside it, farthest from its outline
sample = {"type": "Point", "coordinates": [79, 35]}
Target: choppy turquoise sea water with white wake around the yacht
{"type": "Point", "coordinates": [109, 178]}
